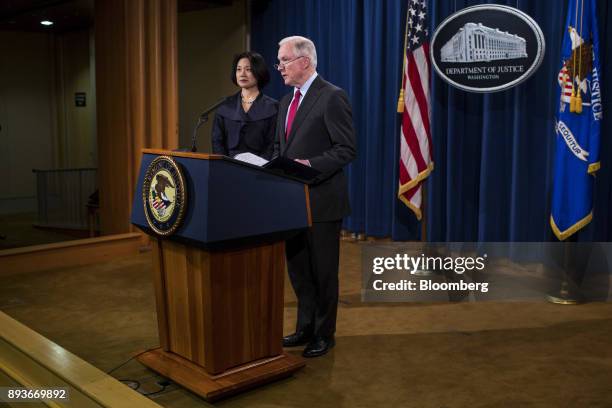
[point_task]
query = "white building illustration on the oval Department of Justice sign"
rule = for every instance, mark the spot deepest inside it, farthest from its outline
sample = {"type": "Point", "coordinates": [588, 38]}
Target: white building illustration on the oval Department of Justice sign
{"type": "Point", "coordinates": [476, 42]}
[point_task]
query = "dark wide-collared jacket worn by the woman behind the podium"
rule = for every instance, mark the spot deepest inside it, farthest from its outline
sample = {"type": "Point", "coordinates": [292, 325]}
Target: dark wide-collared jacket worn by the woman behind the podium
{"type": "Point", "coordinates": [235, 131]}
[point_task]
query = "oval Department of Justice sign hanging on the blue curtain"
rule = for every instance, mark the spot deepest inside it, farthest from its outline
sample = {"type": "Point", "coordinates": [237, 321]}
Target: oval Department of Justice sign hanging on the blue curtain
{"type": "Point", "coordinates": [487, 48]}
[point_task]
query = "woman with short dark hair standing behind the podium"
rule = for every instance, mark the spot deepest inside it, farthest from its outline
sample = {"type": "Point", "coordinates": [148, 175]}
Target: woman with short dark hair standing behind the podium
{"type": "Point", "coordinates": [246, 121]}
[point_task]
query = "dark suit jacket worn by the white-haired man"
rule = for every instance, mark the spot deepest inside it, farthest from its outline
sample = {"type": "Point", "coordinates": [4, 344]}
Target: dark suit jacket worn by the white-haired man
{"type": "Point", "coordinates": [323, 133]}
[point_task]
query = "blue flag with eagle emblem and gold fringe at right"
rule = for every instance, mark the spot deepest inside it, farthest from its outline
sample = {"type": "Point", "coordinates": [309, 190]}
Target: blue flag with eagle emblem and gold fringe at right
{"type": "Point", "coordinates": [578, 121]}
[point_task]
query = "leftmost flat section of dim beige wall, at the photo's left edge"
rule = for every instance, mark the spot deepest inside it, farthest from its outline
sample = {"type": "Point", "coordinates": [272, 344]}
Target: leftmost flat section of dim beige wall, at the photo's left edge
{"type": "Point", "coordinates": [26, 115]}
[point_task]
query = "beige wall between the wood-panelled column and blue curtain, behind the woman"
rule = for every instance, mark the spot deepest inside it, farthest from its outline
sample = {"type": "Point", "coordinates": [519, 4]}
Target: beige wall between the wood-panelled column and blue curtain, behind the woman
{"type": "Point", "coordinates": [207, 41]}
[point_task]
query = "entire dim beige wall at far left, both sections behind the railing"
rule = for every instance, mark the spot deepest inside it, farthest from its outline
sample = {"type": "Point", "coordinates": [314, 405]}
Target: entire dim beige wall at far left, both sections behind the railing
{"type": "Point", "coordinates": [41, 127]}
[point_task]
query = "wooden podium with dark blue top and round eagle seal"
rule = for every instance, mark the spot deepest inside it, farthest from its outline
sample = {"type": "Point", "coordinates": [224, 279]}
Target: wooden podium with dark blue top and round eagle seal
{"type": "Point", "coordinates": [218, 229]}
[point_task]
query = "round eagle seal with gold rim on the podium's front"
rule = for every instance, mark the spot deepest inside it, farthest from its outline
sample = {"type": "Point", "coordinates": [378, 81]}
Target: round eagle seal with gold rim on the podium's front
{"type": "Point", "coordinates": [164, 196]}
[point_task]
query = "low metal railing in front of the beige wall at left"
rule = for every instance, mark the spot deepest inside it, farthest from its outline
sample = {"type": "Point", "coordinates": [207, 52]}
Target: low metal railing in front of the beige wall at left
{"type": "Point", "coordinates": [62, 197]}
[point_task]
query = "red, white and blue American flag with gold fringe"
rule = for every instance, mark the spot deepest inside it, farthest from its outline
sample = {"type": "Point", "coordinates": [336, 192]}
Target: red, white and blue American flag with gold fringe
{"type": "Point", "coordinates": [415, 144]}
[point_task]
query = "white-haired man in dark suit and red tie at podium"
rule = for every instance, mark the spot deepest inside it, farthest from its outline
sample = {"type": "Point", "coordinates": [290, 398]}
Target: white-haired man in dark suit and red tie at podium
{"type": "Point", "coordinates": [315, 128]}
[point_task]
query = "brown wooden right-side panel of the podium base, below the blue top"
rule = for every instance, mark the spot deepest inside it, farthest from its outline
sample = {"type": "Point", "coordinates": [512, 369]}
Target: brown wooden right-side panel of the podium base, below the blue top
{"type": "Point", "coordinates": [254, 280]}
